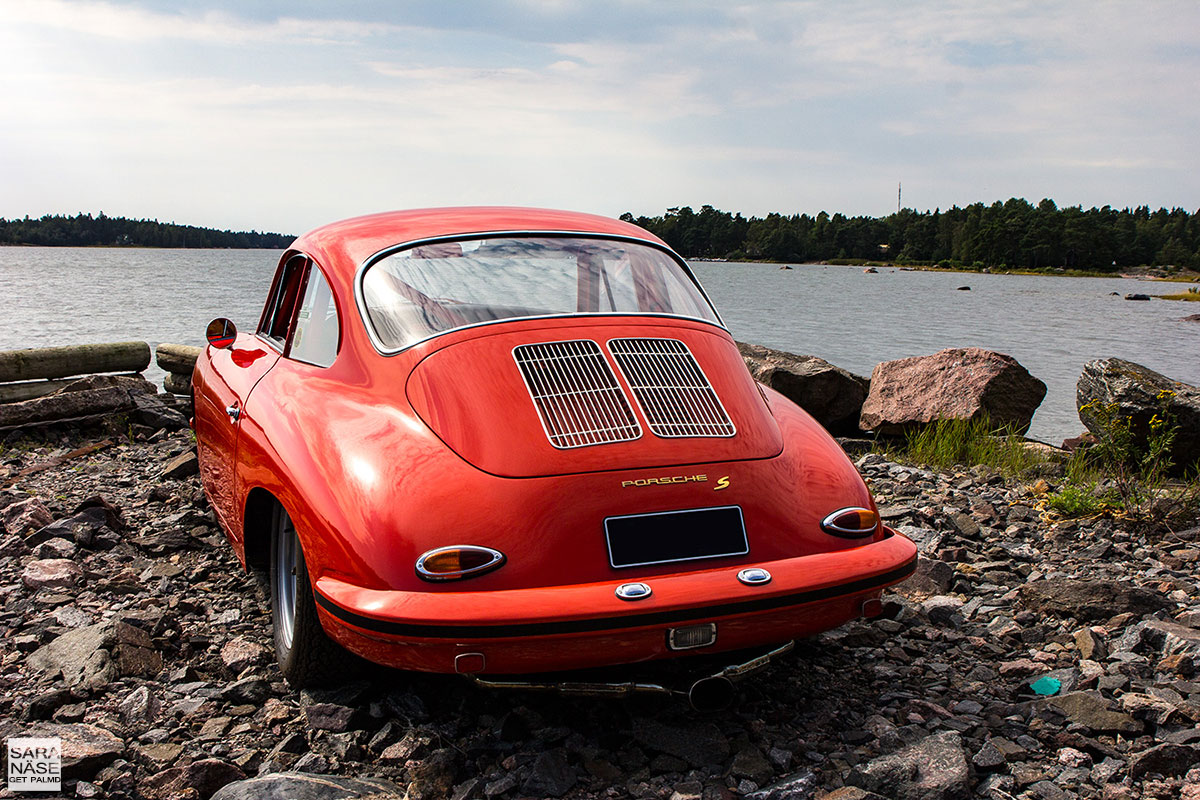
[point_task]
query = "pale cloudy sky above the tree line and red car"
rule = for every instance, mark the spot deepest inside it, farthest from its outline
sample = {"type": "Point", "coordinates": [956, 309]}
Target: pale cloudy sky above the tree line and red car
{"type": "Point", "coordinates": [285, 116]}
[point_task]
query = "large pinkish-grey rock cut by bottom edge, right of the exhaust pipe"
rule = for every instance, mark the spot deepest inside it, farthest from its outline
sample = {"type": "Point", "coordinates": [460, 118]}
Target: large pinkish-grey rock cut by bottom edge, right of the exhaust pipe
{"type": "Point", "coordinates": [933, 769]}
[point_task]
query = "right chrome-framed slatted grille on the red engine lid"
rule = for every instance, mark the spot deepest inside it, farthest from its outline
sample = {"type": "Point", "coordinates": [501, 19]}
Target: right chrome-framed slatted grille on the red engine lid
{"type": "Point", "coordinates": [674, 393]}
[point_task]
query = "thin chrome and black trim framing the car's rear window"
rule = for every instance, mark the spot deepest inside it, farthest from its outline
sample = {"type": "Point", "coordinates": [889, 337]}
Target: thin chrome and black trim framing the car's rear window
{"type": "Point", "coordinates": [368, 263]}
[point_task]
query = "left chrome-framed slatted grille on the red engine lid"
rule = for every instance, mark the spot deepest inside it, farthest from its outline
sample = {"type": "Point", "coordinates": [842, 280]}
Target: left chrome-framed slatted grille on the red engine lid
{"type": "Point", "coordinates": [577, 394]}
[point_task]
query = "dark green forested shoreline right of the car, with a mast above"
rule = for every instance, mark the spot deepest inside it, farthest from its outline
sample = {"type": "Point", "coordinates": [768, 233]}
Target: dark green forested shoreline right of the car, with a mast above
{"type": "Point", "coordinates": [1013, 236]}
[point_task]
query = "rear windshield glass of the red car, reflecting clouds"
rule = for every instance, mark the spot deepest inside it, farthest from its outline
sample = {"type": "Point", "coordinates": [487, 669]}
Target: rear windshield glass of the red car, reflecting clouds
{"type": "Point", "coordinates": [428, 290]}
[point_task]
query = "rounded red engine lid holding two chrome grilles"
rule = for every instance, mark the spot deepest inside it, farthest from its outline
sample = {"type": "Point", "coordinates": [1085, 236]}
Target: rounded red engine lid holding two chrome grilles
{"type": "Point", "coordinates": [580, 399]}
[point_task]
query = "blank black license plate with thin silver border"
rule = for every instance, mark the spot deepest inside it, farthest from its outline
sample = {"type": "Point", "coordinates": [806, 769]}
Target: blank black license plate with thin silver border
{"type": "Point", "coordinates": [643, 539]}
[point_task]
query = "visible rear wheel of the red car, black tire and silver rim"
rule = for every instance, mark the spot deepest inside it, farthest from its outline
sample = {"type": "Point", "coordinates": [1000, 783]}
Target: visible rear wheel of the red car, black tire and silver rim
{"type": "Point", "coordinates": [308, 658]}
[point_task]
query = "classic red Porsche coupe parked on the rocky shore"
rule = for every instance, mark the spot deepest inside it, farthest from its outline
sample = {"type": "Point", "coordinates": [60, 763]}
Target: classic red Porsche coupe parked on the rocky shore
{"type": "Point", "coordinates": [512, 441]}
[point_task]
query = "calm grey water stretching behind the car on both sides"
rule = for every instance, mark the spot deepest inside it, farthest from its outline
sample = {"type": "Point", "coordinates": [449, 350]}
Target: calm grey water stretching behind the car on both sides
{"type": "Point", "coordinates": [1052, 326]}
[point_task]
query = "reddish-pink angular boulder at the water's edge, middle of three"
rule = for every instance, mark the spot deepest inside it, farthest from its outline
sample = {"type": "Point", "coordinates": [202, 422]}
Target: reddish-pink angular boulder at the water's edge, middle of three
{"type": "Point", "coordinates": [955, 384]}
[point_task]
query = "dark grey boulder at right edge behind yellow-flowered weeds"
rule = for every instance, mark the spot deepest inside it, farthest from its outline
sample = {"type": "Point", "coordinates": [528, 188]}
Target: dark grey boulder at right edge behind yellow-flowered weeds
{"type": "Point", "coordinates": [1141, 394]}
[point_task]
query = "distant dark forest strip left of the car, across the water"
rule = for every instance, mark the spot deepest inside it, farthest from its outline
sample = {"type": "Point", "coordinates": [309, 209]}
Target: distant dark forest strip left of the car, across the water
{"type": "Point", "coordinates": [85, 231]}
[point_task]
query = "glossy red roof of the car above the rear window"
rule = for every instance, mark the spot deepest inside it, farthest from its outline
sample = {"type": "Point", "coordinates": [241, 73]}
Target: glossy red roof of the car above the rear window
{"type": "Point", "coordinates": [343, 246]}
